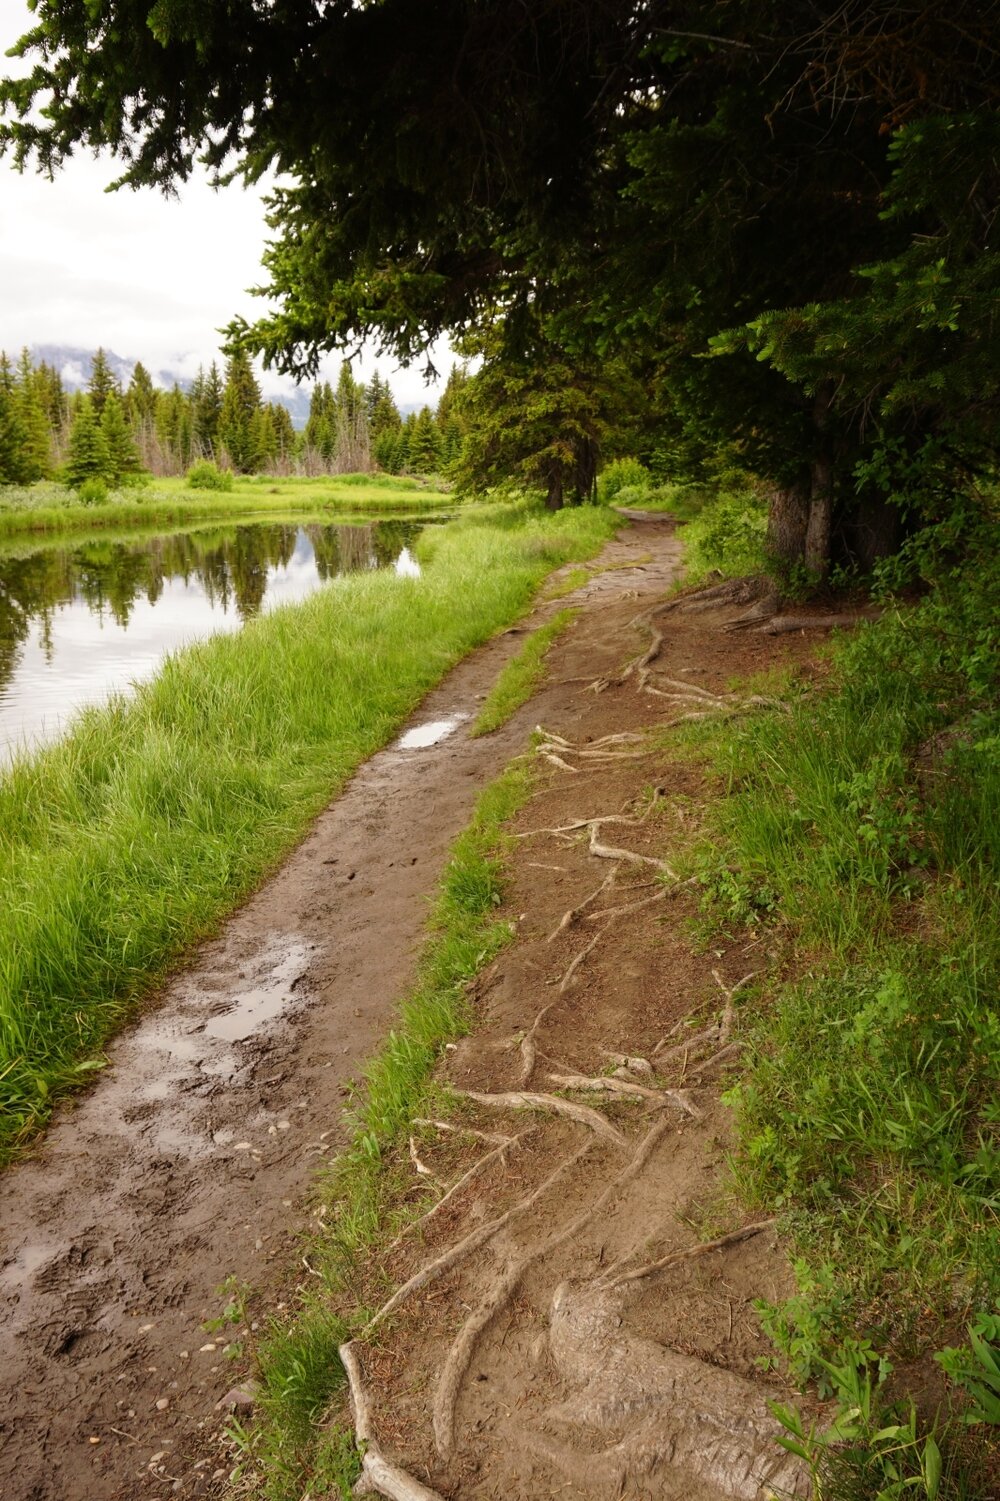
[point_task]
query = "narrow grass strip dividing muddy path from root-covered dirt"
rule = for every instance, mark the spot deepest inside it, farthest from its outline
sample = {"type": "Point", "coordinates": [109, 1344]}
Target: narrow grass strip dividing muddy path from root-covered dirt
{"type": "Point", "coordinates": [289, 1452]}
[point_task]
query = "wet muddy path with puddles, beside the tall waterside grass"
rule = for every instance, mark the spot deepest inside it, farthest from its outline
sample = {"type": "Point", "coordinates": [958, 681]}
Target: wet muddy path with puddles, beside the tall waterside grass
{"type": "Point", "coordinates": [190, 1161]}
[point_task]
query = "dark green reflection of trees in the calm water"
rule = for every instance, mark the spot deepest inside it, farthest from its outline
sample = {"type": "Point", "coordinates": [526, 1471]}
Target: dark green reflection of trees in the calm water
{"type": "Point", "coordinates": [232, 565]}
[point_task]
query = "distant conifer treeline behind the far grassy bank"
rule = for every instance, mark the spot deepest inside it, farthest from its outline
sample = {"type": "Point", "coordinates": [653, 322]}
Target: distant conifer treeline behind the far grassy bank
{"type": "Point", "coordinates": [113, 435]}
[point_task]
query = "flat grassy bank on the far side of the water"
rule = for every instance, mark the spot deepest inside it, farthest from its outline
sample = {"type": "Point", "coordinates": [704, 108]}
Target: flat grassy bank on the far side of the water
{"type": "Point", "coordinates": [172, 502]}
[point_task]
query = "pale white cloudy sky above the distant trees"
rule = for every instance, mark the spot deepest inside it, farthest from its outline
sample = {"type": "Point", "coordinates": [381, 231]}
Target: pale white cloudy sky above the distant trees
{"type": "Point", "coordinates": [146, 277]}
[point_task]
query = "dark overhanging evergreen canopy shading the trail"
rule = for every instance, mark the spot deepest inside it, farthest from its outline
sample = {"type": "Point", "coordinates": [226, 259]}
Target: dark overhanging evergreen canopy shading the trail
{"type": "Point", "coordinates": [779, 215]}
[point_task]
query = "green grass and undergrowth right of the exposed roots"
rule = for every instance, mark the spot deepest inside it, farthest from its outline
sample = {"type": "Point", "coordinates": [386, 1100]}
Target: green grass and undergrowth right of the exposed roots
{"type": "Point", "coordinates": [860, 837]}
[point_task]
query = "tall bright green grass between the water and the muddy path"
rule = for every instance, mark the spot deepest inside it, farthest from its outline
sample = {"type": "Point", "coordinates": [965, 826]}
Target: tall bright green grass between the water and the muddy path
{"type": "Point", "coordinates": [155, 817]}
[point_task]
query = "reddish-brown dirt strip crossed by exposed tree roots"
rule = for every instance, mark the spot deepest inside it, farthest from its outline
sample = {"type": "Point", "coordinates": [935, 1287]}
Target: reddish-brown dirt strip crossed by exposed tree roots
{"type": "Point", "coordinates": [555, 1356]}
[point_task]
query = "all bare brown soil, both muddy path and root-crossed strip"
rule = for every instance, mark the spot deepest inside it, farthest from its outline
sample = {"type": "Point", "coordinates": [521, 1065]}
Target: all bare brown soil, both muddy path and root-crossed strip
{"type": "Point", "coordinates": [190, 1163]}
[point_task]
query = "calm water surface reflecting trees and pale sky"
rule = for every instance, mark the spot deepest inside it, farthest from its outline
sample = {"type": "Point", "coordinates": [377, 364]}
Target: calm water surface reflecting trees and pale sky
{"type": "Point", "coordinates": [85, 619]}
